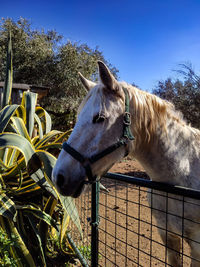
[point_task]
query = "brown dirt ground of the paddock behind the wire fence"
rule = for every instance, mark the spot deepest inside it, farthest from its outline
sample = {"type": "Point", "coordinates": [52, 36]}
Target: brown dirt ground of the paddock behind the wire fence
{"type": "Point", "coordinates": [128, 233]}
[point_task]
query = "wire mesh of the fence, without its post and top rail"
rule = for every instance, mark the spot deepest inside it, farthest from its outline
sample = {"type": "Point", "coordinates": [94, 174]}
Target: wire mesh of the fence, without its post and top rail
{"type": "Point", "coordinates": [138, 224]}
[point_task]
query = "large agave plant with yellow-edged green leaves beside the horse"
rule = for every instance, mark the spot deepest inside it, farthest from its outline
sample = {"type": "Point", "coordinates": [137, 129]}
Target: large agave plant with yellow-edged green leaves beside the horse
{"type": "Point", "coordinates": [30, 206]}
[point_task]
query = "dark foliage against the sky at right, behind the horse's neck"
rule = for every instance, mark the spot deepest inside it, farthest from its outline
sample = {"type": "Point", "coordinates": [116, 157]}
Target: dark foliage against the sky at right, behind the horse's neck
{"type": "Point", "coordinates": [185, 94]}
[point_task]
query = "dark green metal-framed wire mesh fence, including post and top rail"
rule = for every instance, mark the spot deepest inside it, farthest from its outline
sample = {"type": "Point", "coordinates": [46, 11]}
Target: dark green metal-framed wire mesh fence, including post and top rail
{"type": "Point", "coordinates": [119, 228]}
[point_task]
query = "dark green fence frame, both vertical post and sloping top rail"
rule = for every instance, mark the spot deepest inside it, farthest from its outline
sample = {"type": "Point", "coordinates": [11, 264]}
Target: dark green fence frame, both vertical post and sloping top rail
{"type": "Point", "coordinates": [165, 187]}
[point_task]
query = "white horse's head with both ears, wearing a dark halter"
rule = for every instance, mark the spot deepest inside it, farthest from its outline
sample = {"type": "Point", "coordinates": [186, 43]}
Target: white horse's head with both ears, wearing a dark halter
{"type": "Point", "coordinates": [100, 125]}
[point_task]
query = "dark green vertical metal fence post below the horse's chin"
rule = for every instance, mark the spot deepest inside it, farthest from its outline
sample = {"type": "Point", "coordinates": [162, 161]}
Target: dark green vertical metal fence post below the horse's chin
{"type": "Point", "coordinates": [95, 224]}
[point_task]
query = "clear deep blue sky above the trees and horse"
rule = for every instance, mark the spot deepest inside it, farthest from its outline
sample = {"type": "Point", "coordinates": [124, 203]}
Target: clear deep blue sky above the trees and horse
{"type": "Point", "coordinates": [144, 39]}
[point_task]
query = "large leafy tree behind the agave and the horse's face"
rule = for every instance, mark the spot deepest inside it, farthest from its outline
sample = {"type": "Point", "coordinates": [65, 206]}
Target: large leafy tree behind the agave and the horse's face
{"type": "Point", "coordinates": [43, 58]}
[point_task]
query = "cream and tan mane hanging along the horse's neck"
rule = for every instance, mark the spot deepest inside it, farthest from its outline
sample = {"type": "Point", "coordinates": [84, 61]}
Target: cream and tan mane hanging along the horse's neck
{"type": "Point", "coordinates": [151, 113]}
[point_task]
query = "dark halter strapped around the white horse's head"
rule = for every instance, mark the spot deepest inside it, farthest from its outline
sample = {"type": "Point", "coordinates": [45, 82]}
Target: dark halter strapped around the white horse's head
{"type": "Point", "coordinates": [126, 136]}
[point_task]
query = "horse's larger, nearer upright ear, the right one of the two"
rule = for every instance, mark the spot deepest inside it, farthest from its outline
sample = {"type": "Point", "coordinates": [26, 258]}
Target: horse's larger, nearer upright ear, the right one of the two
{"type": "Point", "coordinates": [106, 77]}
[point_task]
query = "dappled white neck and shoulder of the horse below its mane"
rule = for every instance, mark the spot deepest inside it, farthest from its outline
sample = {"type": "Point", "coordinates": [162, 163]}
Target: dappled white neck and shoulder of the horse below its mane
{"type": "Point", "coordinates": [173, 154]}
